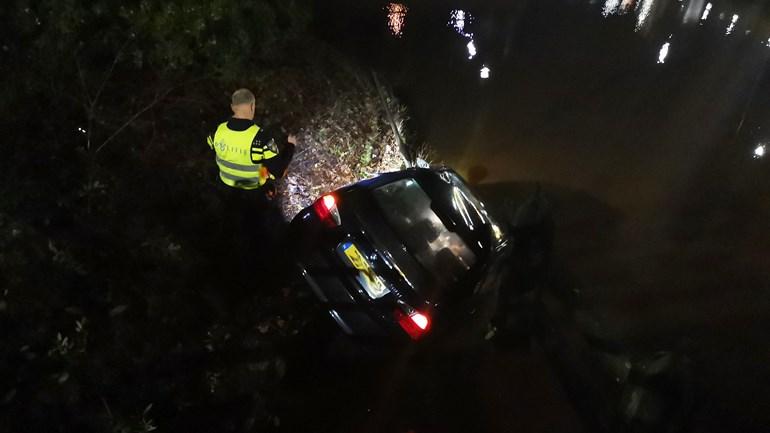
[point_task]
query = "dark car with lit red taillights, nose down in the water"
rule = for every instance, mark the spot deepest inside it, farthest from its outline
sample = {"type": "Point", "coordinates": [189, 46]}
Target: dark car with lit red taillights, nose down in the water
{"type": "Point", "coordinates": [410, 253]}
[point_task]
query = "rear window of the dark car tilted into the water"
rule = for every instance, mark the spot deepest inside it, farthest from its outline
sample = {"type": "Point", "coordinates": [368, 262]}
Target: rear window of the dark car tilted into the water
{"type": "Point", "coordinates": [407, 209]}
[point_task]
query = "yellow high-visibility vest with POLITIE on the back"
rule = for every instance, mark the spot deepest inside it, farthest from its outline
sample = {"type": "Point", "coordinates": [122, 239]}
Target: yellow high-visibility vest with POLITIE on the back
{"type": "Point", "coordinates": [238, 160]}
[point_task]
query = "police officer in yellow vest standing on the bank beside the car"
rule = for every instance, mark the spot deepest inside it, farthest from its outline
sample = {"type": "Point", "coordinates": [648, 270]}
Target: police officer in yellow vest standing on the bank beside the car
{"type": "Point", "coordinates": [246, 154]}
